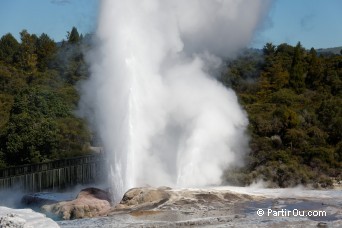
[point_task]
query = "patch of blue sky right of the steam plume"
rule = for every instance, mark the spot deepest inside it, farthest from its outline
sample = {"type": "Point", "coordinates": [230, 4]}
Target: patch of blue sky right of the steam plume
{"type": "Point", "coordinates": [315, 23]}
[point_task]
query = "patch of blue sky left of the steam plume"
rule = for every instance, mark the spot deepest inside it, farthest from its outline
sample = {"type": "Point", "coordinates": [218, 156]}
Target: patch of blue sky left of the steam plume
{"type": "Point", "coordinates": [53, 17]}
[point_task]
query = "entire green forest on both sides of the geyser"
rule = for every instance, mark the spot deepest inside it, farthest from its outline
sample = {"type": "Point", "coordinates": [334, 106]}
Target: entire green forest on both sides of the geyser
{"type": "Point", "coordinates": [292, 97]}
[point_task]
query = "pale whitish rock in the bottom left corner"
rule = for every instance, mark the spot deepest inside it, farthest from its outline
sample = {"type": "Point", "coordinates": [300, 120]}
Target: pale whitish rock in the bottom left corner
{"type": "Point", "coordinates": [15, 218]}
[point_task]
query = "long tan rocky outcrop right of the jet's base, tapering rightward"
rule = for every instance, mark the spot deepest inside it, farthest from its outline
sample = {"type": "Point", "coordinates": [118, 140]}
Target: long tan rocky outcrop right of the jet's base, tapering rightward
{"type": "Point", "coordinates": [151, 201]}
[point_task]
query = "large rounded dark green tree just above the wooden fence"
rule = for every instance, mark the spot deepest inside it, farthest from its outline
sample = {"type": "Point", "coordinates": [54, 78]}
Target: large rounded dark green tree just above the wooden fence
{"type": "Point", "coordinates": [41, 127]}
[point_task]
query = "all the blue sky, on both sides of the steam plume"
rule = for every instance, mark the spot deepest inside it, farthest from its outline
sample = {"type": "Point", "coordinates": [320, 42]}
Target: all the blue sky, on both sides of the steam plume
{"type": "Point", "coordinates": [315, 23]}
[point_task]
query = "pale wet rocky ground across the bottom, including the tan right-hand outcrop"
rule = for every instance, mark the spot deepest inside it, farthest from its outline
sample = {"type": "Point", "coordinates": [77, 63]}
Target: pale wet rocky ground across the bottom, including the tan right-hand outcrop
{"type": "Point", "coordinates": [221, 207]}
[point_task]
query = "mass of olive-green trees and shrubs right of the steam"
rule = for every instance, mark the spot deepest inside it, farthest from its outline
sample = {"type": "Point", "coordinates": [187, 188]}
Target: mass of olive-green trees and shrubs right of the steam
{"type": "Point", "coordinates": [295, 115]}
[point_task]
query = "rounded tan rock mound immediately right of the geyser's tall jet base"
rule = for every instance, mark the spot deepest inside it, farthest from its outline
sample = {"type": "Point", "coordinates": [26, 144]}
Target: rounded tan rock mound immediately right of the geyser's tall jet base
{"type": "Point", "coordinates": [142, 199]}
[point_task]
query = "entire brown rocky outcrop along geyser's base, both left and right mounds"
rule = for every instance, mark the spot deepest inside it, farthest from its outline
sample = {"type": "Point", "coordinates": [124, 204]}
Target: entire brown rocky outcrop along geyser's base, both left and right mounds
{"type": "Point", "coordinates": [144, 201]}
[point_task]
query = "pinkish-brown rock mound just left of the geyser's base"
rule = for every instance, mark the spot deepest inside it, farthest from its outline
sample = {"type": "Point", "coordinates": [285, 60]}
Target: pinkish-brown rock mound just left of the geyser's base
{"type": "Point", "coordinates": [90, 202]}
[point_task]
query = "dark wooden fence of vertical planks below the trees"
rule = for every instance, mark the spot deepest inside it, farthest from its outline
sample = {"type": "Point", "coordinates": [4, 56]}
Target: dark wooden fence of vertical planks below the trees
{"type": "Point", "coordinates": [54, 175]}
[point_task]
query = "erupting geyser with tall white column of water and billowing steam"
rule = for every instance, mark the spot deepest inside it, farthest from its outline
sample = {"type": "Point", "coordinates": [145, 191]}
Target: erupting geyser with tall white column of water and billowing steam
{"type": "Point", "coordinates": [162, 118]}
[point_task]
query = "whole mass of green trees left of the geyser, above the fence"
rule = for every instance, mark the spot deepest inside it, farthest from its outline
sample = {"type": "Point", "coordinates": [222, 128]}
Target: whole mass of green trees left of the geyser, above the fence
{"type": "Point", "coordinates": [37, 101]}
